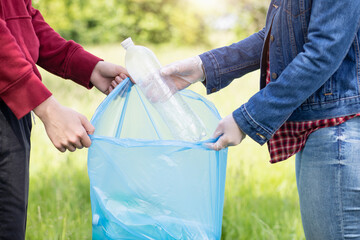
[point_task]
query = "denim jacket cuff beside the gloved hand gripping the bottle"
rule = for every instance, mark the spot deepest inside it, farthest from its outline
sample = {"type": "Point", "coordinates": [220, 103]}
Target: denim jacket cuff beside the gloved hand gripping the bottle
{"type": "Point", "coordinates": [211, 69]}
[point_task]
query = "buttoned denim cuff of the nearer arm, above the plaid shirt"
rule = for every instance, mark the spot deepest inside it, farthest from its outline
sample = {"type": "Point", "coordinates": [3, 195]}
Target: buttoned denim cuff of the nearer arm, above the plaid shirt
{"type": "Point", "coordinates": [249, 126]}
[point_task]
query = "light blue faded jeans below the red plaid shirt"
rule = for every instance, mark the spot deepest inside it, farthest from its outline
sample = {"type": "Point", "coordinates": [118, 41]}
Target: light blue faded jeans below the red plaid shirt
{"type": "Point", "coordinates": [328, 181]}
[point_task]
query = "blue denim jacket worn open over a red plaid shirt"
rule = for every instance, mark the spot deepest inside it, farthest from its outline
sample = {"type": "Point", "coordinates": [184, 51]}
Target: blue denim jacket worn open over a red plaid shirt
{"type": "Point", "coordinates": [314, 56]}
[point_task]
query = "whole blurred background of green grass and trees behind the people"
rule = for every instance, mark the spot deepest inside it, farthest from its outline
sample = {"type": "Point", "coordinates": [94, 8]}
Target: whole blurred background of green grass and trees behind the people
{"type": "Point", "coordinates": [260, 199]}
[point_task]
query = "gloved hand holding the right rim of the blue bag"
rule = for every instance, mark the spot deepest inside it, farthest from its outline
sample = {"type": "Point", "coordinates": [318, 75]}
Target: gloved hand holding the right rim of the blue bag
{"type": "Point", "coordinates": [229, 132]}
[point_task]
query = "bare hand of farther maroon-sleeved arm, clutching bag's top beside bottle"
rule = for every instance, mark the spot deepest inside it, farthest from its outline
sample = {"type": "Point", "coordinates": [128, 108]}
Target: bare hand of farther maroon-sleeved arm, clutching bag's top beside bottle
{"type": "Point", "coordinates": [106, 76]}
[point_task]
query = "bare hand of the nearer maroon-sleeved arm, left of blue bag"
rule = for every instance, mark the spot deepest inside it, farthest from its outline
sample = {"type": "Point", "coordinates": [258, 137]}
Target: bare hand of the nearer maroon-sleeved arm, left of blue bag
{"type": "Point", "coordinates": [66, 128]}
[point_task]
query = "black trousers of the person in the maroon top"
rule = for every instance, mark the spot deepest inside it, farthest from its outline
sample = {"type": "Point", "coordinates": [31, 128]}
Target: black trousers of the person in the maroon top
{"type": "Point", "coordinates": [14, 173]}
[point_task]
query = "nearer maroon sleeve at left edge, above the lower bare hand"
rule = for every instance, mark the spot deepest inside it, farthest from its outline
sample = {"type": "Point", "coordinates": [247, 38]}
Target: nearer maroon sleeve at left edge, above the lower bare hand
{"type": "Point", "coordinates": [20, 88]}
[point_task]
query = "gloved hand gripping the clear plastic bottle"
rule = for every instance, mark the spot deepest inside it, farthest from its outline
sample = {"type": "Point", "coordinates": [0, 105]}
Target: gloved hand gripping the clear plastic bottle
{"type": "Point", "coordinates": [184, 72]}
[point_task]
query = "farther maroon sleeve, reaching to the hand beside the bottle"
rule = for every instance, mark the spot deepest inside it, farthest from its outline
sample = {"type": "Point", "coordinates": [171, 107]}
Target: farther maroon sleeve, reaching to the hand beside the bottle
{"type": "Point", "coordinates": [66, 59]}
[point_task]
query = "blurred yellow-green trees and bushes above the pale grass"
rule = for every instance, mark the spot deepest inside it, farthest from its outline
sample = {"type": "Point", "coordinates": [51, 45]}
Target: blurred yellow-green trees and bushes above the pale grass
{"type": "Point", "coordinates": [150, 21]}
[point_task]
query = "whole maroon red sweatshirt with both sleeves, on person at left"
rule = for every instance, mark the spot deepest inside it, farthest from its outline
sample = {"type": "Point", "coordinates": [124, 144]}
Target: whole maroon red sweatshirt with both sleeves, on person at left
{"type": "Point", "coordinates": [25, 40]}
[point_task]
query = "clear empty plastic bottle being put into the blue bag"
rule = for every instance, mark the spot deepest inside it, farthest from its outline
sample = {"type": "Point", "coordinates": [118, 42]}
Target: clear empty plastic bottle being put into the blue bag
{"type": "Point", "coordinates": [144, 69]}
